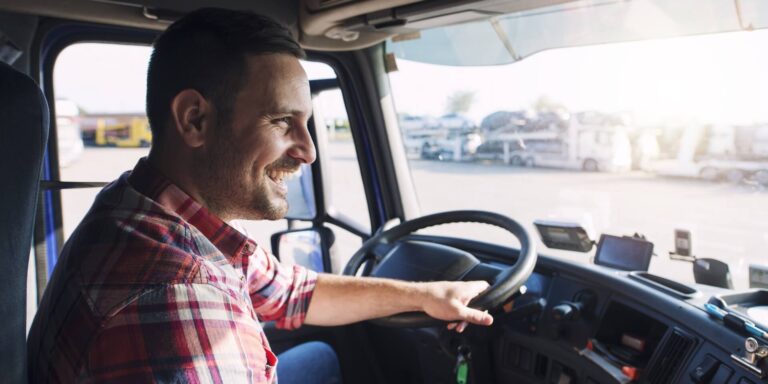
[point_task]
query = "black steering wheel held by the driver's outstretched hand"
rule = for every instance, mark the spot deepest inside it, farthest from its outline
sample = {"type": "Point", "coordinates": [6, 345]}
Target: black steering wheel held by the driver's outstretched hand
{"type": "Point", "coordinates": [414, 260]}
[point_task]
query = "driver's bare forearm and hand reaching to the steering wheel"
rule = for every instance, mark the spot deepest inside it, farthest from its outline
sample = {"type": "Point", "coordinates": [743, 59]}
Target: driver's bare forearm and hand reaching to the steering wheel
{"type": "Point", "coordinates": [339, 300]}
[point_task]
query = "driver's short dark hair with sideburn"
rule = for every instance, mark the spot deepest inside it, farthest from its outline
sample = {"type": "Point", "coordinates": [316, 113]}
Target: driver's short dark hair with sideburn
{"type": "Point", "coordinates": [206, 50]}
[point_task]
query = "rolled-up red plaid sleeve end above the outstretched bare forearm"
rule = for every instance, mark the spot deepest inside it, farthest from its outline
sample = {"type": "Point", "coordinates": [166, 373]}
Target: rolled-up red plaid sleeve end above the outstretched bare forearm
{"type": "Point", "coordinates": [280, 292]}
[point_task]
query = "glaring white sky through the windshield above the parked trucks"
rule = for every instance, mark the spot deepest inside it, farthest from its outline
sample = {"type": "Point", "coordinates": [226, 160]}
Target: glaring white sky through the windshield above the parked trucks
{"type": "Point", "coordinates": [708, 79]}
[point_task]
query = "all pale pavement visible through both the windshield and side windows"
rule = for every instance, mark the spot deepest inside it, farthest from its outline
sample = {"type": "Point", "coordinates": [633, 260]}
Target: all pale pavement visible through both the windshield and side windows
{"type": "Point", "coordinates": [728, 222]}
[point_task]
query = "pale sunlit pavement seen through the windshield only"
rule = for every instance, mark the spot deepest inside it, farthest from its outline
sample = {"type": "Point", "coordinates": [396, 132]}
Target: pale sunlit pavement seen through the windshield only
{"type": "Point", "coordinates": [728, 222]}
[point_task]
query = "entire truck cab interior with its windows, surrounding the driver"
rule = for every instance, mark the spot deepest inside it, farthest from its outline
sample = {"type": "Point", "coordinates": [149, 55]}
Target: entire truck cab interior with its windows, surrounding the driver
{"type": "Point", "coordinates": [604, 267]}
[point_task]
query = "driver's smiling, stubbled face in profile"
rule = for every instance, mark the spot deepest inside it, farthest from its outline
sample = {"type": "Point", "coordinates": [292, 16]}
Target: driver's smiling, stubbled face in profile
{"type": "Point", "coordinates": [244, 164]}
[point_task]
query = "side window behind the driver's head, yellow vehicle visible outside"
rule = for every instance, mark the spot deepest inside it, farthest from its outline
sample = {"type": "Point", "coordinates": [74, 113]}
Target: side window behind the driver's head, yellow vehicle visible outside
{"type": "Point", "coordinates": [101, 125]}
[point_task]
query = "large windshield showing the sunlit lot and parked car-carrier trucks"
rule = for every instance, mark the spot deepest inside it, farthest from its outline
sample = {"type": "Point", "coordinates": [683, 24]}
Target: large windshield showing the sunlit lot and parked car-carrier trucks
{"type": "Point", "coordinates": [652, 137]}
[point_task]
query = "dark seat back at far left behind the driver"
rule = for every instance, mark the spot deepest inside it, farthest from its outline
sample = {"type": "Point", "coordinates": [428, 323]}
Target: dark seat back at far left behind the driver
{"type": "Point", "coordinates": [23, 134]}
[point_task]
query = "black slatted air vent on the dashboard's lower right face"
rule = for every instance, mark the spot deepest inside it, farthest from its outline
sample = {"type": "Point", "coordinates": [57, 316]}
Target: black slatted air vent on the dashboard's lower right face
{"type": "Point", "coordinates": [669, 358]}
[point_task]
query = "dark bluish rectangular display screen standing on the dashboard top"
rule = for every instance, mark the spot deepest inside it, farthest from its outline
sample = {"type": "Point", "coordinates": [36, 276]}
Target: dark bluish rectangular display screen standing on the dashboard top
{"type": "Point", "coordinates": [626, 253]}
